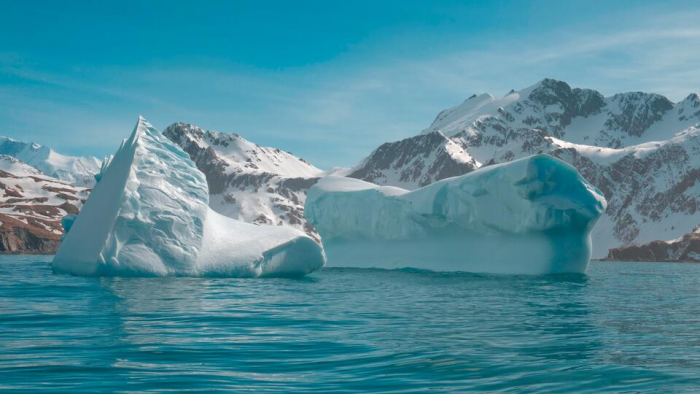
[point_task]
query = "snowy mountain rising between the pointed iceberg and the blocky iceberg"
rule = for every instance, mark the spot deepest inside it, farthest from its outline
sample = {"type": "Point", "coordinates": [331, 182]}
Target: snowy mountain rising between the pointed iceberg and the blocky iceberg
{"type": "Point", "coordinates": [248, 182]}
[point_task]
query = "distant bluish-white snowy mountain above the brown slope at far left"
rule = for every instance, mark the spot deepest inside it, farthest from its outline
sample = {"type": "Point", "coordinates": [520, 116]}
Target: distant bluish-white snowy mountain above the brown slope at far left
{"type": "Point", "coordinates": [75, 170]}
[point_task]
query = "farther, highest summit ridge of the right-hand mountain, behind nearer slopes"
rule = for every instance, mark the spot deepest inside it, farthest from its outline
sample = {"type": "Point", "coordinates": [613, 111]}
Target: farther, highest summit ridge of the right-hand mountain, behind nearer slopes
{"type": "Point", "coordinates": [580, 116]}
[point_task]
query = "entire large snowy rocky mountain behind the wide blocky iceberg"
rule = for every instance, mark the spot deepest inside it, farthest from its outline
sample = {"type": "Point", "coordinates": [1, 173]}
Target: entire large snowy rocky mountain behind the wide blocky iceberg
{"type": "Point", "coordinates": [640, 149]}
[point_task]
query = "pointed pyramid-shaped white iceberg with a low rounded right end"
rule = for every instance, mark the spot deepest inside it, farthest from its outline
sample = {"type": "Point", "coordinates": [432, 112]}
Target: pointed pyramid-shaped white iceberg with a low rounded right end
{"type": "Point", "coordinates": [148, 216]}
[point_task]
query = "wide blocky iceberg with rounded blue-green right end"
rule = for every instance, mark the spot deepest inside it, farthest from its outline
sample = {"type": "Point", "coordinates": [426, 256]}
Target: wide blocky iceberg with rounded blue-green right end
{"type": "Point", "coordinates": [531, 216]}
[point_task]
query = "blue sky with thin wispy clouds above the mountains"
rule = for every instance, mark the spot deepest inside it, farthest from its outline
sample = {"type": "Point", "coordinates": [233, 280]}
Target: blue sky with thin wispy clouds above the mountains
{"type": "Point", "coordinates": [326, 80]}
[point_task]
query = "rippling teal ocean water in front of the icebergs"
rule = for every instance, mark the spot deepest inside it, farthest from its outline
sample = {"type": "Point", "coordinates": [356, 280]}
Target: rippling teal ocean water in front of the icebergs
{"type": "Point", "coordinates": [632, 327]}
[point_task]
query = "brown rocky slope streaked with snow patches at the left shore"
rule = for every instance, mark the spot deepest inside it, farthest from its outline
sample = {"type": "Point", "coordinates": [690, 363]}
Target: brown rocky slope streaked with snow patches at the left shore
{"type": "Point", "coordinates": [31, 207]}
